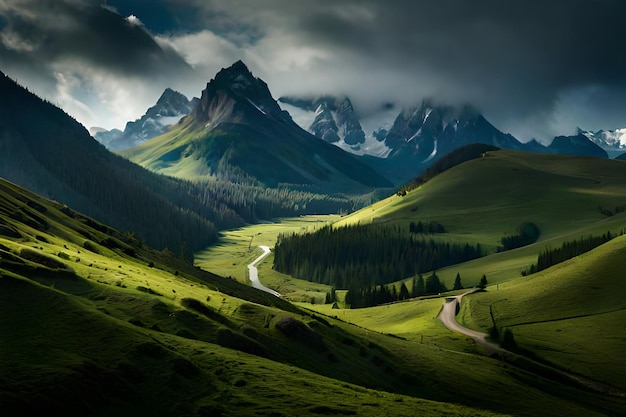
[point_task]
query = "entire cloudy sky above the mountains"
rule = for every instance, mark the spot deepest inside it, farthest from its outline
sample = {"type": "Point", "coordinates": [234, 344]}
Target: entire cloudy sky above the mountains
{"type": "Point", "coordinates": [534, 68]}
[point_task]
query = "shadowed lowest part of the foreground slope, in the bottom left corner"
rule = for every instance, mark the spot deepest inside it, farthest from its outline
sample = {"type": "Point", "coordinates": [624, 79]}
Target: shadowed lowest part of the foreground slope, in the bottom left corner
{"type": "Point", "coordinates": [66, 358]}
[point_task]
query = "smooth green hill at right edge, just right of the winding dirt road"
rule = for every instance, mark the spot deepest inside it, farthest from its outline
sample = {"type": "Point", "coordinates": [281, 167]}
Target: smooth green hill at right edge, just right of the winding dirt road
{"type": "Point", "coordinates": [572, 314]}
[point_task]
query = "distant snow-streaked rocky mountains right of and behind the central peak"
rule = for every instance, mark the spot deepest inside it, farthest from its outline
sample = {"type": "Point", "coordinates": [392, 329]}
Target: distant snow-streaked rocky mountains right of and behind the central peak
{"type": "Point", "coordinates": [421, 133]}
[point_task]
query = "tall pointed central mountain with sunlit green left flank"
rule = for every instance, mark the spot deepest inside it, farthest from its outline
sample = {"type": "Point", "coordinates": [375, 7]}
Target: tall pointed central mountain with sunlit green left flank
{"type": "Point", "coordinates": [238, 130]}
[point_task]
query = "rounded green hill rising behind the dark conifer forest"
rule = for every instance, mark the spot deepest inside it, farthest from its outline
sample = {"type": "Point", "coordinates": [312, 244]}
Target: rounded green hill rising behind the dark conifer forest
{"type": "Point", "coordinates": [484, 199]}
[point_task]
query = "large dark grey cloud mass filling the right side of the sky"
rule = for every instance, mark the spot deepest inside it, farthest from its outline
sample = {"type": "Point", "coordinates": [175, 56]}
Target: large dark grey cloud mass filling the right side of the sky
{"type": "Point", "coordinates": [515, 59]}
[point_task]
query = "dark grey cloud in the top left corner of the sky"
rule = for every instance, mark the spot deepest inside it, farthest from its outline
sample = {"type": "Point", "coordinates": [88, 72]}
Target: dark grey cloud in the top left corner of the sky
{"type": "Point", "coordinates": [70, 29]}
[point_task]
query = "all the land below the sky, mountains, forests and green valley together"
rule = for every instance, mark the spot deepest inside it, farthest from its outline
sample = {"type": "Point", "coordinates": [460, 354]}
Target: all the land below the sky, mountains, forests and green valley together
{"type": "Point", "coordinates": [226, 261]}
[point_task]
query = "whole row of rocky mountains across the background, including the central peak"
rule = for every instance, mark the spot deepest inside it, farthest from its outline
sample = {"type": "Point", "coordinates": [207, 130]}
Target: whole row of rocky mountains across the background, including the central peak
{"type": "Point", "coordinates": [397, 143]}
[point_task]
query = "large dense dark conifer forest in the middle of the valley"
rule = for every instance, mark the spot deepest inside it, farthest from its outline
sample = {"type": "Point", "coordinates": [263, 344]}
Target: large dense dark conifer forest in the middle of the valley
{"type": "Point", "coordinates": [362, 256]}
